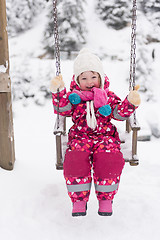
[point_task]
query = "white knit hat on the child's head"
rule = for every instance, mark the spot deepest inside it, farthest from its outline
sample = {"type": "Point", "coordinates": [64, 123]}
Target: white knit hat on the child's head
{"type": "Point", "coordinates": [87, 61]}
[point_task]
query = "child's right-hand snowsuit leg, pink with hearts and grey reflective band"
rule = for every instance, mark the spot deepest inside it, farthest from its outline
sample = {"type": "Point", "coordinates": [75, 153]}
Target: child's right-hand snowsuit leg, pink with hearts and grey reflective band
{"type": "Point", "coordinates": [108, 163]}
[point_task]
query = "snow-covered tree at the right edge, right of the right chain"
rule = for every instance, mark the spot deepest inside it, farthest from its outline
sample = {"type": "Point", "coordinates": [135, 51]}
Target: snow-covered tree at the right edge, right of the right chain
{"type": "Point", "coordinates": [148, 32]}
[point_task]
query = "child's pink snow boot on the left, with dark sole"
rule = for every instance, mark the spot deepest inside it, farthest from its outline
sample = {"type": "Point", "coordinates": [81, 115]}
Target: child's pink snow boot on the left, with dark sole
{"type": "Point", "coordinates": [79, 208]}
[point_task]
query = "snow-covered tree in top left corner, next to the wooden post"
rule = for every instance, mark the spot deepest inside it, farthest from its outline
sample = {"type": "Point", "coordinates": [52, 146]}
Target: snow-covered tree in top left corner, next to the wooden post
{"type": "Point", "coordinates": [21, 13]}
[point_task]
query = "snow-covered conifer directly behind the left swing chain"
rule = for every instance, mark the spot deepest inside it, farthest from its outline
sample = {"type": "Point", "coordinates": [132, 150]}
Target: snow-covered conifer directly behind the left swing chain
{"type": "Point", "coordinates": [71, 26]}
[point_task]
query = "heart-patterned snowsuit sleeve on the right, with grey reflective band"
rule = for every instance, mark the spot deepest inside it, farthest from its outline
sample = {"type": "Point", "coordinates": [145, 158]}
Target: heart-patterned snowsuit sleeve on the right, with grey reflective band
{"type": "Point", "coordinates": [121, 110]}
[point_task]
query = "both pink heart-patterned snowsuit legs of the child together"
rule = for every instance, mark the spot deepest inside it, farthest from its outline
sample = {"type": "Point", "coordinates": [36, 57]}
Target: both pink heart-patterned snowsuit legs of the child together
{"type": "Point", "coordinates": [107, 161]}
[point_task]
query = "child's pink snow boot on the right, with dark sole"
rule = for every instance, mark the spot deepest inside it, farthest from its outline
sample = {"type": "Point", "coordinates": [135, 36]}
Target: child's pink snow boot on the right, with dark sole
{"type": "Point", "coordinates": [105, 208]}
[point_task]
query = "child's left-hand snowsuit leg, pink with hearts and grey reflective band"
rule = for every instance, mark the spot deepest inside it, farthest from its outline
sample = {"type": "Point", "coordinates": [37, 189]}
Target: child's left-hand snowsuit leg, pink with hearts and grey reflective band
{"type": "Point", "coordinates": [77, 170]}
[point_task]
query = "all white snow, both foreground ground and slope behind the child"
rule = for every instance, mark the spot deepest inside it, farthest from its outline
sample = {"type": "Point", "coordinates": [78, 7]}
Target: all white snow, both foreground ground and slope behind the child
{"type": "Point", "coordinates": [33, 197]}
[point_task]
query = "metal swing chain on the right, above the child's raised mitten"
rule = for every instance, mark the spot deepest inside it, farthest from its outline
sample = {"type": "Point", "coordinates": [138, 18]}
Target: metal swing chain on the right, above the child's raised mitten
{"type": "Point", "coordinates": [133, 51]}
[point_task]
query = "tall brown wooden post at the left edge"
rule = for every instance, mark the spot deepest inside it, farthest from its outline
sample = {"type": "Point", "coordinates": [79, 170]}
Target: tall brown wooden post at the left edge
{"type": "Point", "coordinates": [7, 153]}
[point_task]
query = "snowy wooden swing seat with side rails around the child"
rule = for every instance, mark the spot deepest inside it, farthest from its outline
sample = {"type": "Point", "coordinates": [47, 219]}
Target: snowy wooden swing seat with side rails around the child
{"type": "Point", "coordinates": [128, 146]}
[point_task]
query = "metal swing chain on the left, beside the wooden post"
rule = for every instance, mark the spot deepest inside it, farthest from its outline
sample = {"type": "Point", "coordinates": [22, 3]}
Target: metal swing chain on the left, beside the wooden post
{"type": "Point", "coordinates": [57, 53]}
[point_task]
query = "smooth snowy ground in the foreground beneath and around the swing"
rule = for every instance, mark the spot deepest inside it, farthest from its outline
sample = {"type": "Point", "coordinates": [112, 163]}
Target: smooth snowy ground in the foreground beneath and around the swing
{"type": "Point", "coordinates": [34, 201]}
